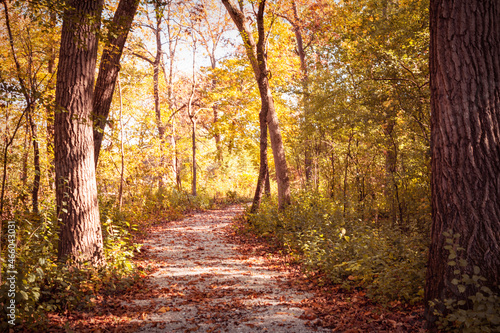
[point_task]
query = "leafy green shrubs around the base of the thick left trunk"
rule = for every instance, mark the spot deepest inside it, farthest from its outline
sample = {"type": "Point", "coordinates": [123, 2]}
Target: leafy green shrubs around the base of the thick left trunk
{"type": "Point", "coordinates": [45, 285]}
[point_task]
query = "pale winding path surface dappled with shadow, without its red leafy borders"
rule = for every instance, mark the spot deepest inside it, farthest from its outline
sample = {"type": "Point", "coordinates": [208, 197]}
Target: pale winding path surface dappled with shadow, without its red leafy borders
{"type": "Point", "coordinates": [205, 285]}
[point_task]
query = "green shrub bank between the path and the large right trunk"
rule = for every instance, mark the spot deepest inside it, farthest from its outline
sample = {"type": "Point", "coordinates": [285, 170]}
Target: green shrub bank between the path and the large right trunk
{"type": "Point", "coordinates": [390, 264]}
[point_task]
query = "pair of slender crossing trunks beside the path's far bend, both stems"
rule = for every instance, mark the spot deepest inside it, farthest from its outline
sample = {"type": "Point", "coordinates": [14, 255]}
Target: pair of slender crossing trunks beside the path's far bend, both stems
{"type": "Point", "coordinates": [257, 55]}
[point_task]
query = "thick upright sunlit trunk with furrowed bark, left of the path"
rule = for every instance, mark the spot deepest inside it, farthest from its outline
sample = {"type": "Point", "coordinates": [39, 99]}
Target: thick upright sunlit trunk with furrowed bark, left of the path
{"type": "Point", "coordinates": [80, 236]}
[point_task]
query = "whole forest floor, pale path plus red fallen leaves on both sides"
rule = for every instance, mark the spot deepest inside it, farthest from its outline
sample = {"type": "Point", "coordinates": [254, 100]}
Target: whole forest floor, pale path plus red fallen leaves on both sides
{"type": "Point", "coordinates": [207, 277]}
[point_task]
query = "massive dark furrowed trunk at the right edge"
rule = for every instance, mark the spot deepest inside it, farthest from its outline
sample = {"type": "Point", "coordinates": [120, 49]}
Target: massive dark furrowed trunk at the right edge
{"type": "Point", "coordinates": [465, 142]}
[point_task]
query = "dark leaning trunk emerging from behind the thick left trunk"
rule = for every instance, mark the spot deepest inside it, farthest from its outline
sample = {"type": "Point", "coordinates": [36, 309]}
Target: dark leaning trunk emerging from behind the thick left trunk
{"type": "Point", "coordinates": [109, 68]}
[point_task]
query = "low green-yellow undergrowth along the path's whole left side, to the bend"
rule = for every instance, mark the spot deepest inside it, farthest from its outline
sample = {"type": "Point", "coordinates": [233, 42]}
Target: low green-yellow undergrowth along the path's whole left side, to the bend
{"type": "Point", "coordinates": [47, 288]}
